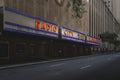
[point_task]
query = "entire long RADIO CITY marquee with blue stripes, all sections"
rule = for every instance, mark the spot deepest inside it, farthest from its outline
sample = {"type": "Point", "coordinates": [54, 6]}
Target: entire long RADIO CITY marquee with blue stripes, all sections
{"type": "Point", "coordinates": [16, 21]}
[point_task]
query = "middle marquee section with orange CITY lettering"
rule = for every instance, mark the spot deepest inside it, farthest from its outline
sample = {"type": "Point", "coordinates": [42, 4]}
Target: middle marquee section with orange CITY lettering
{"type": "Point", "coordinates": [69, 34]}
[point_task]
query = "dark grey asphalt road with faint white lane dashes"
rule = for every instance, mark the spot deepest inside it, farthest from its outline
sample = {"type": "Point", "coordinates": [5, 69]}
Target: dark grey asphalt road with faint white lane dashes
{"type": "Point", "coordinates": [102, 67]}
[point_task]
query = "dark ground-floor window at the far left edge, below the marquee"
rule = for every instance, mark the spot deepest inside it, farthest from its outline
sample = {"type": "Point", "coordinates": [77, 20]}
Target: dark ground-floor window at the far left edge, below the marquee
{"type": "Point", "coordinates": [3, 50]}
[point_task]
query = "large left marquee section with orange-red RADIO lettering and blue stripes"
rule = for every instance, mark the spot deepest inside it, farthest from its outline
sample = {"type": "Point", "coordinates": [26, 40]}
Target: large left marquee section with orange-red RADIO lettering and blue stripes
{"type": "Point", "coordinates": [16, 21]}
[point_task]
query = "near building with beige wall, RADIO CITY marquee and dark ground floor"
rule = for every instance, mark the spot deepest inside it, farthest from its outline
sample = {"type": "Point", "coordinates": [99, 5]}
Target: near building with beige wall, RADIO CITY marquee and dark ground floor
{"type": "Point", "coordinates": [43, 29]}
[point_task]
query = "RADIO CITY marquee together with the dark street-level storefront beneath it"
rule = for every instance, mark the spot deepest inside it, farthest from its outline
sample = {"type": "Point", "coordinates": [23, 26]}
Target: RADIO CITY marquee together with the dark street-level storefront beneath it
{"type": "Point", "coordinates": [25, 38]}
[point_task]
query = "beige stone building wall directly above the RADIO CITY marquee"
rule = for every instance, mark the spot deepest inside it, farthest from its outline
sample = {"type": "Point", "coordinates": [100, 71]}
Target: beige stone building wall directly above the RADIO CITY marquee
{"type": "Point", "coordinates": [52, 11]}
